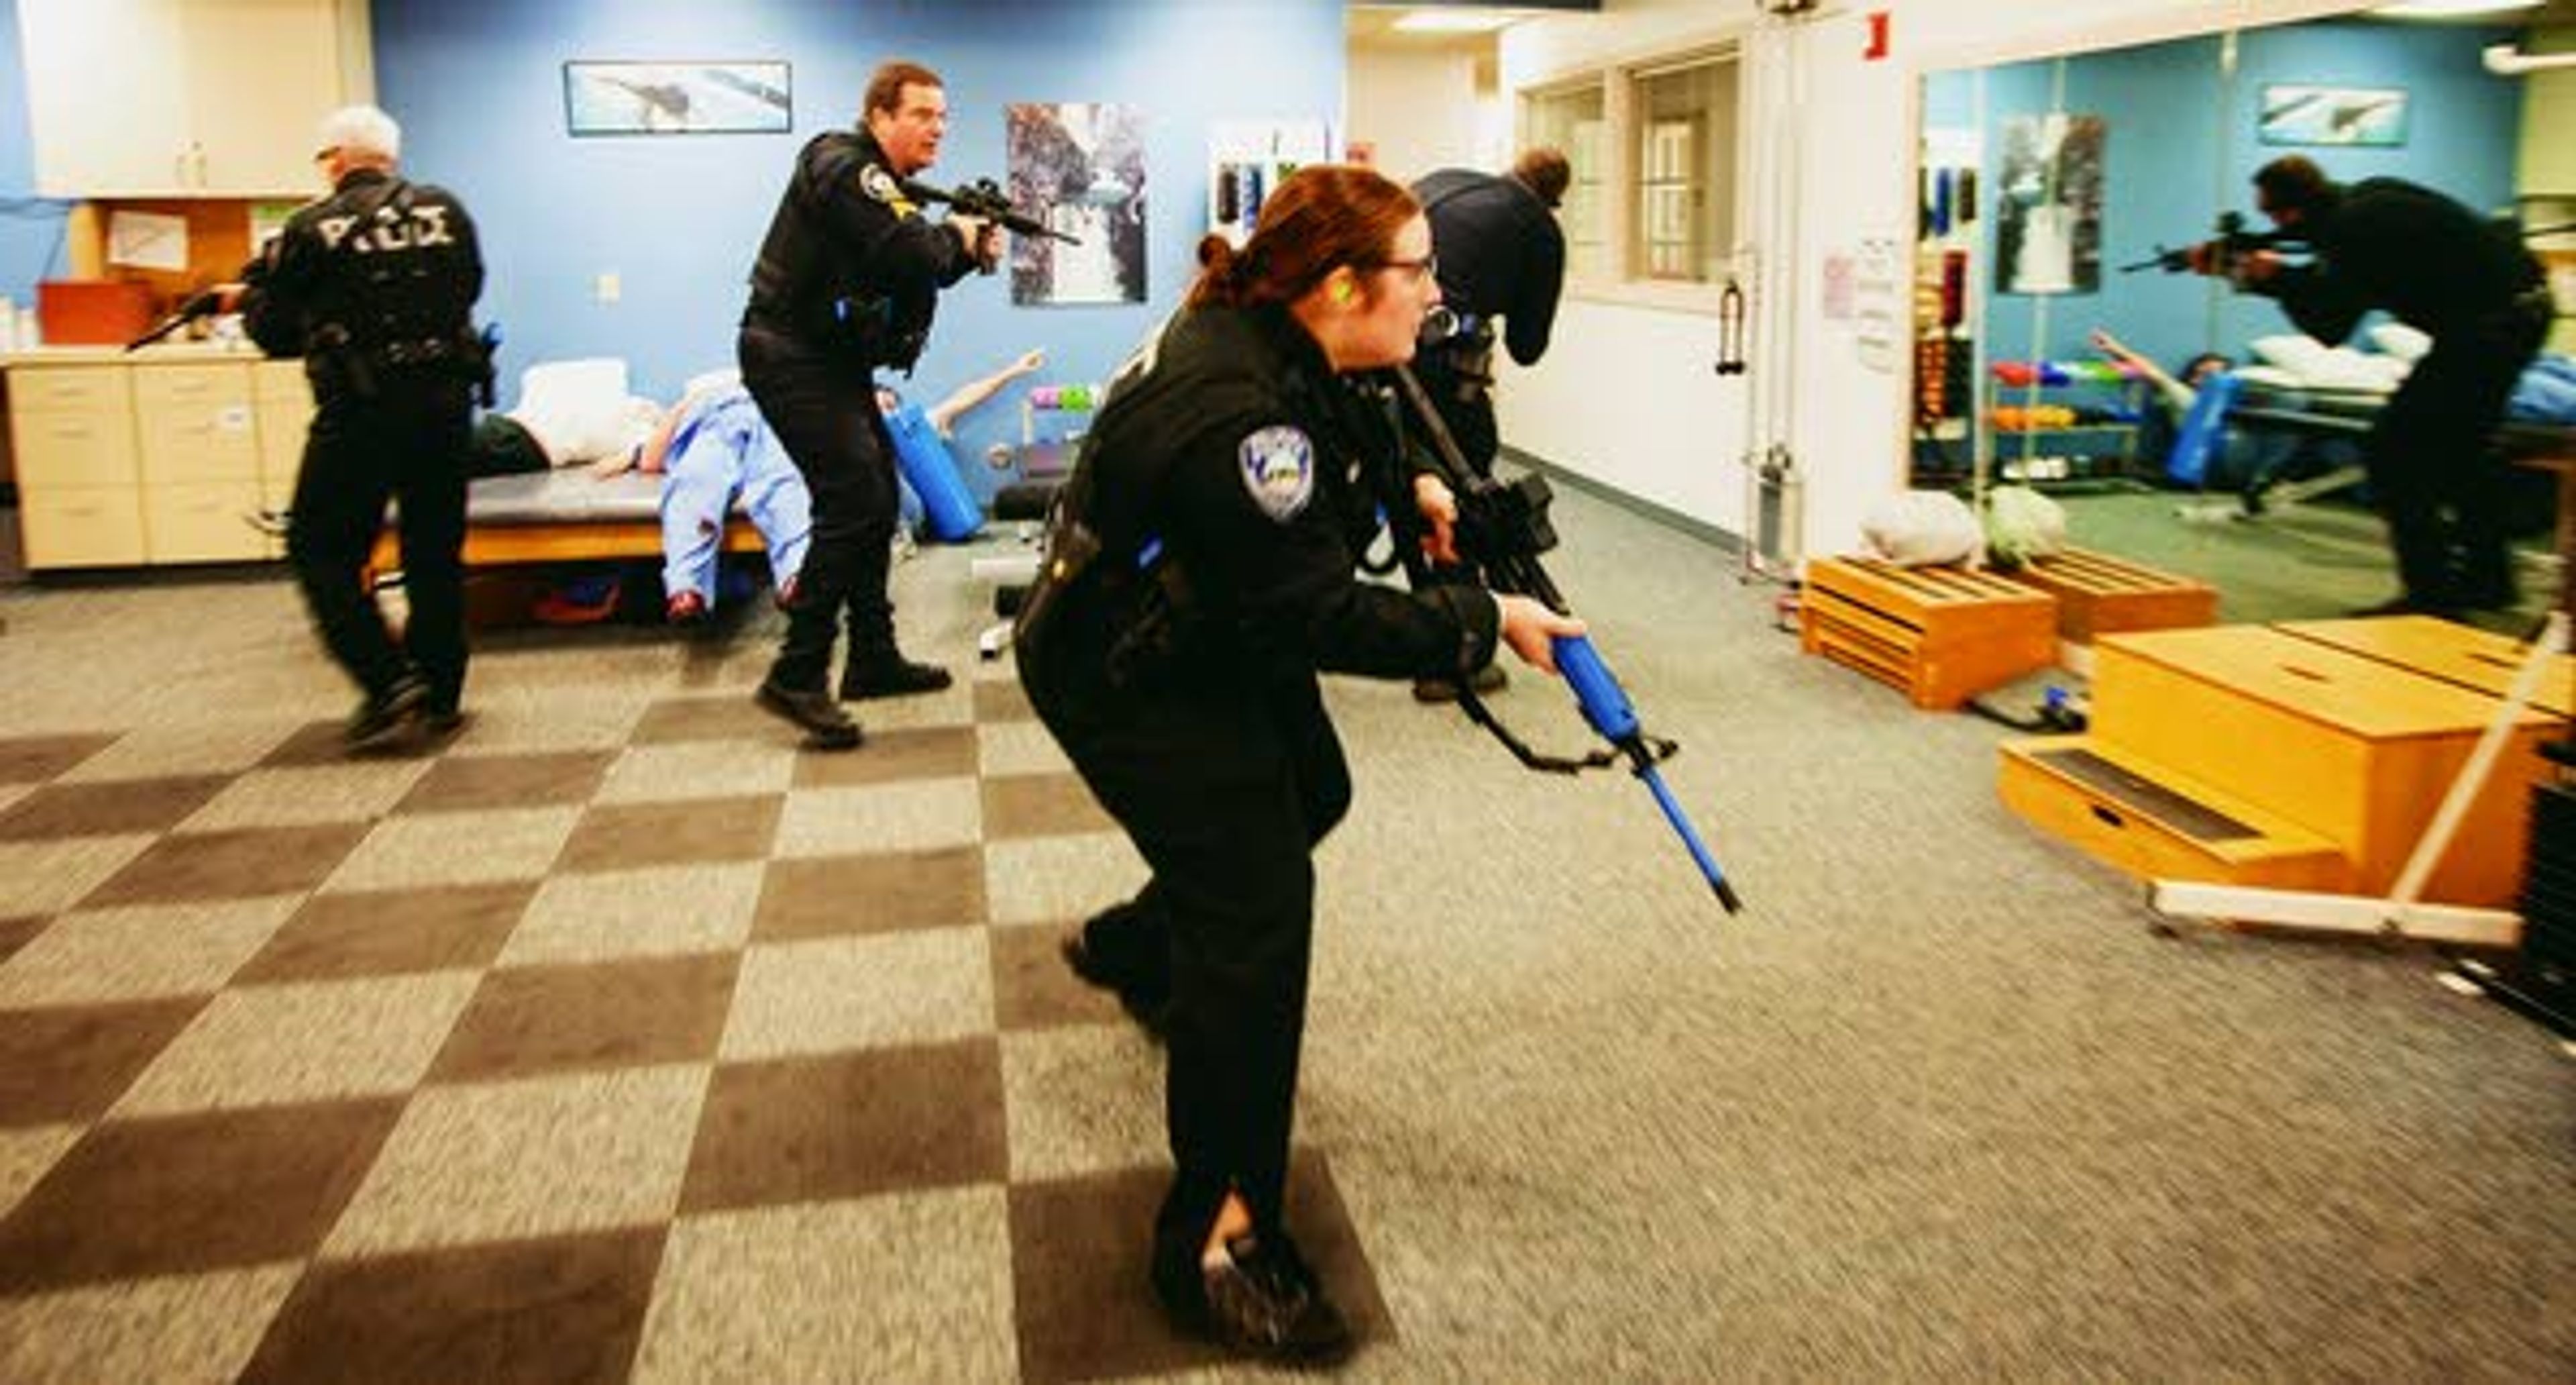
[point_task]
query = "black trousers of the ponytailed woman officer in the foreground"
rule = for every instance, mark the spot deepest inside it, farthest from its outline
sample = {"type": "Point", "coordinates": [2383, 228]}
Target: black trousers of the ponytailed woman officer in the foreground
{"type": "Point", "coordinates": [1225, 794]}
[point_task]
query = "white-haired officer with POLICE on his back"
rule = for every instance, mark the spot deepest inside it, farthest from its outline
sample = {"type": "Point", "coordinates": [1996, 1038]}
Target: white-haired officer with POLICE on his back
{"type": "Point", "coordinates": [375, 290]}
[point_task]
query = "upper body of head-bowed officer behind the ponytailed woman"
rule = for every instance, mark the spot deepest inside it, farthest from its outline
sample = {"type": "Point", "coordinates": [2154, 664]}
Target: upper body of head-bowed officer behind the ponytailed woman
{"type": "Point", "coordinates": [1503, 256]}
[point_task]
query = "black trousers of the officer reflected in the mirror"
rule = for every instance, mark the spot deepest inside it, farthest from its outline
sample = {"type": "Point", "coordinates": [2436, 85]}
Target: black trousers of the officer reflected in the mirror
{"type": "Point", "coordinates": [2436, 470]}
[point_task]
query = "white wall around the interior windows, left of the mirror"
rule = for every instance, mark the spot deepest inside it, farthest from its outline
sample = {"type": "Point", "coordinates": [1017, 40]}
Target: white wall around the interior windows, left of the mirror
{"type": "Point", "coordinates": [1627, 395]}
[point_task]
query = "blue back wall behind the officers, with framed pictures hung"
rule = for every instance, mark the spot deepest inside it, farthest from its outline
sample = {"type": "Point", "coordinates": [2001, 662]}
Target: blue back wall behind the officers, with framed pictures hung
{"type": "Point", "coordinates": [478, 89]}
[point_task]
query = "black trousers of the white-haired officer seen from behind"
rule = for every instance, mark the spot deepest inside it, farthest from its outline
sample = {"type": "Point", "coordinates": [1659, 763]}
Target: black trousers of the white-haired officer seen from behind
{"type": "Point", "coordinates": [408, 442]}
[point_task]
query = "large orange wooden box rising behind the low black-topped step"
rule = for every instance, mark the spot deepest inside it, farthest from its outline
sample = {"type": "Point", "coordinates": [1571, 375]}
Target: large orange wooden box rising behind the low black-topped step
{"type": "Point", "coordinates": [2348, 748]}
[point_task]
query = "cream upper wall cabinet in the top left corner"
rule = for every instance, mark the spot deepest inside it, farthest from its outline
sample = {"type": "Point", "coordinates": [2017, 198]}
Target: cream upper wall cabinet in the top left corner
{"type": "Point", "coordinates": [182, 97]}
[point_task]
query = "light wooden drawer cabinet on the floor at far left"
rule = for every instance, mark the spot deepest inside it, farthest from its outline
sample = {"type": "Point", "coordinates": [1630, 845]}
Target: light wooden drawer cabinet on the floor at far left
{"type": "Point", "coordinates": [153, 460]}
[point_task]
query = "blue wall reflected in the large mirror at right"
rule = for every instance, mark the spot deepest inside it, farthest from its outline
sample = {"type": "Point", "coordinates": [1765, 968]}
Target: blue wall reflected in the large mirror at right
{"type": "Point", "coordinates": [2181, 148]}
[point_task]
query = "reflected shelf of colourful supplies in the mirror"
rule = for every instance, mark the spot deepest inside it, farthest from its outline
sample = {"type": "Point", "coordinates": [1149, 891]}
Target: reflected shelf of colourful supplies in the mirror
{"type": "Point", "coordinates": [2060, 421]}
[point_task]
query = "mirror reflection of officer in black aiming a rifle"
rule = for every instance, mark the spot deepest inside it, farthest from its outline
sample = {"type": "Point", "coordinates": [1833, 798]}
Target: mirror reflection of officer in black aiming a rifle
{"type": "Point", "coordinates": [2485, 302]}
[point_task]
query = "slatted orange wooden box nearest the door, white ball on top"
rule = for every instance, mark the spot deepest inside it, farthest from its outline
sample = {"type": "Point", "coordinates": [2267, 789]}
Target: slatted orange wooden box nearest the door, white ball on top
{"type": "Point", "coordinates": [1941, 635]}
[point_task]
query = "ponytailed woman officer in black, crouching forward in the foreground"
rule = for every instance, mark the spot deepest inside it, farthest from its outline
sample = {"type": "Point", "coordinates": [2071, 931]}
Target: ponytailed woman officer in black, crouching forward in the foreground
{"type": "Point", "coordinates": [1199, 578]}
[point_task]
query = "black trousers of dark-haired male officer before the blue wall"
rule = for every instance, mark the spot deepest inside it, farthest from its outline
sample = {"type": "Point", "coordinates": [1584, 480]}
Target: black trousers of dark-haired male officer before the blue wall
{"type": "Point", "coordinates": [823, 411]}
